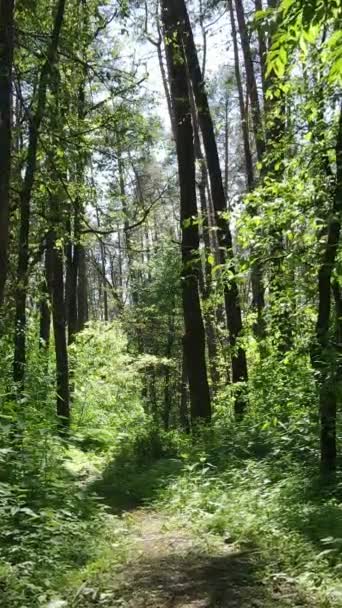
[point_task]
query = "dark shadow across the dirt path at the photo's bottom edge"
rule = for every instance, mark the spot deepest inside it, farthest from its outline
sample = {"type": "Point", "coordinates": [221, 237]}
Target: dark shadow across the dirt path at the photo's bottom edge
{"type": "Point", "coordinates": [199, 580]}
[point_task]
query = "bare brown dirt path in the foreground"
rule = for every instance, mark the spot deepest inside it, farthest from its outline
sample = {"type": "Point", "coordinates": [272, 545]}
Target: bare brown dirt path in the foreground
{"type": "Point", "coordinates": [170, 567]}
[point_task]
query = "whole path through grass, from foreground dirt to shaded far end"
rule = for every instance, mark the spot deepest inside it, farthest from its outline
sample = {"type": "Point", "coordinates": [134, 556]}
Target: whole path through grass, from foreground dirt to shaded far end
{"type": "Point", "coordinates": [155, 555]}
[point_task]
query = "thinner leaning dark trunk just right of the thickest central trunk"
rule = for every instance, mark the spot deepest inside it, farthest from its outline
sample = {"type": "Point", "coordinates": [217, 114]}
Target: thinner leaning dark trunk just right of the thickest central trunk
{"type": "Point", "coordinates": [231, 294]}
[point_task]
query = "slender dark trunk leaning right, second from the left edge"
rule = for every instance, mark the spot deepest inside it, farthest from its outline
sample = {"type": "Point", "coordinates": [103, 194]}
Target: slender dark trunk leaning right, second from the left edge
{"type": "Point", "coordinates": [25, 200]}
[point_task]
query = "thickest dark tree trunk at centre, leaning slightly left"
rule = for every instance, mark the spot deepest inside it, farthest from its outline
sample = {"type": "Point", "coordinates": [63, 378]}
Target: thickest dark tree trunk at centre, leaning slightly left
{"type": "Point", "coordinates": [194, 338]}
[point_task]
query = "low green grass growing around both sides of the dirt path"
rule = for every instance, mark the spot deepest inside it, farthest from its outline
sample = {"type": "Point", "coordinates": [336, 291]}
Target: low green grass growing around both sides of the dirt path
{"type": "Point", "coordinates": [273, 508]}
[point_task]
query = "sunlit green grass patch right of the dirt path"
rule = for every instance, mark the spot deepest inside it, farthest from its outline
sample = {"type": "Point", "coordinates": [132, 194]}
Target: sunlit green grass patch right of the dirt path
{"type": "Point", "coordinates": [295, 531]}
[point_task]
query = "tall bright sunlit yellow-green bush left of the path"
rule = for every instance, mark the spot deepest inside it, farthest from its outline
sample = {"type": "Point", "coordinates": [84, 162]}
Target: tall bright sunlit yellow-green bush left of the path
{"type": "Point", "coordinates": [107, 388]}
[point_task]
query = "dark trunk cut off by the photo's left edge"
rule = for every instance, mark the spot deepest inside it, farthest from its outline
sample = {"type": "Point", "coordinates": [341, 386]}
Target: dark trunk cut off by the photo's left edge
{"type": "Point", "coordinates": [6, 61]}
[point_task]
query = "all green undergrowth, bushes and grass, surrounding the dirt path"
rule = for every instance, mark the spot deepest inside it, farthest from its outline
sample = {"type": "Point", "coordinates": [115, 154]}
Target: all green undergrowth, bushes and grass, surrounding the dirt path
{"type": "Point", "coordinates": [65, 503]}
